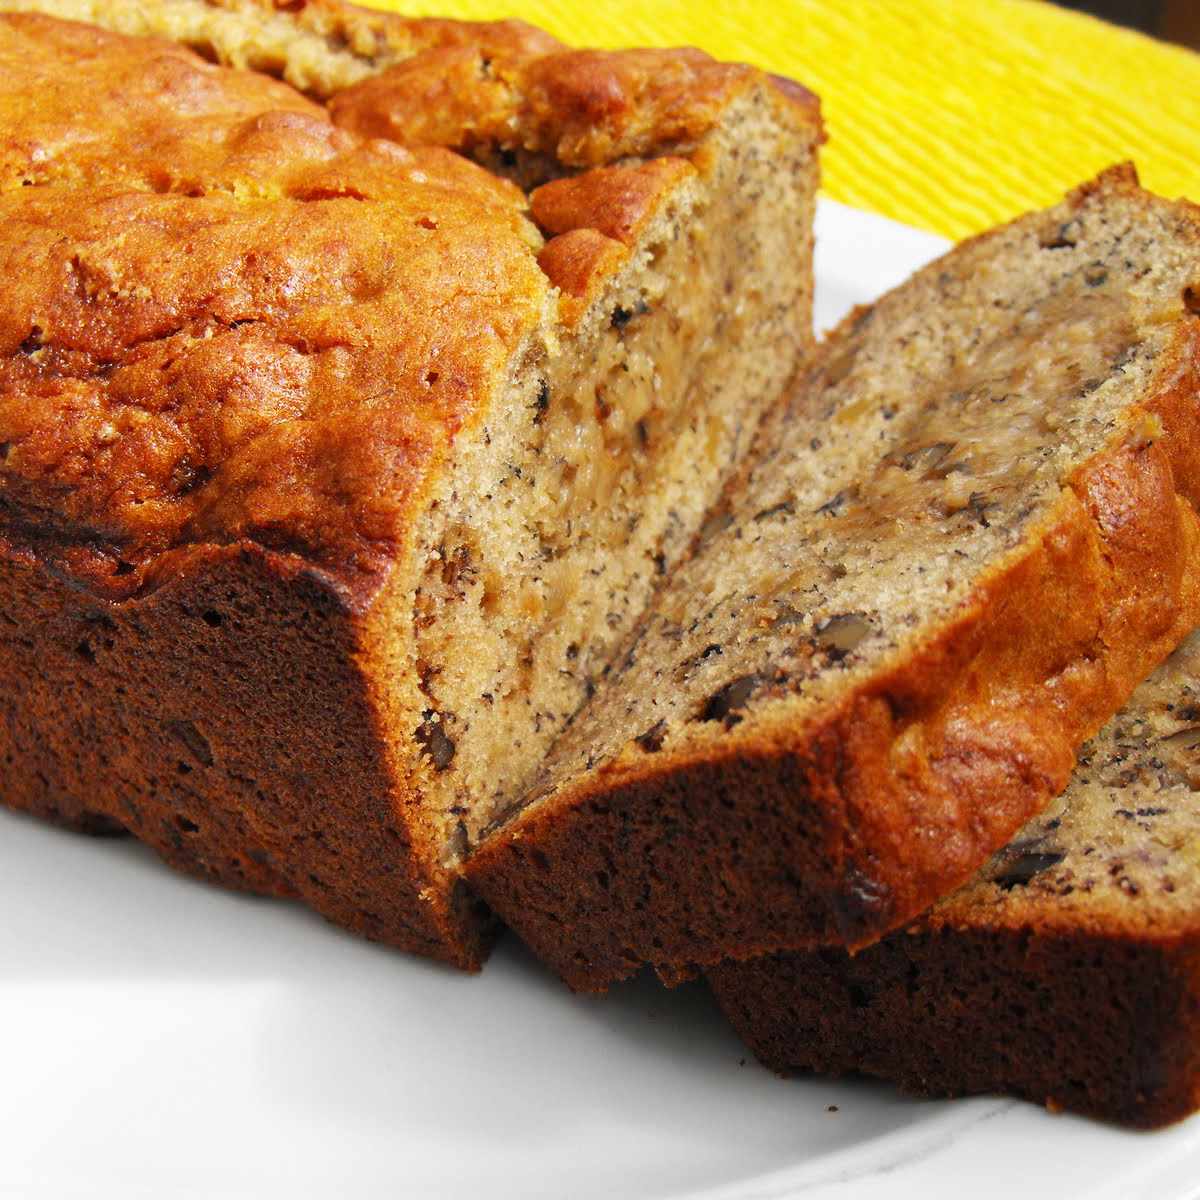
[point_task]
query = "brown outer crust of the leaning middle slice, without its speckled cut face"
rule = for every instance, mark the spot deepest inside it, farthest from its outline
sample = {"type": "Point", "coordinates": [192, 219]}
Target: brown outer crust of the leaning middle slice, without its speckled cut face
{"type": "Point", "coordinates": [801, 838]}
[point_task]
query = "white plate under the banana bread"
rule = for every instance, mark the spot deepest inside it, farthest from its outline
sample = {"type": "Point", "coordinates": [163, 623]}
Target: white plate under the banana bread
{"type": "Point", "coordinates": [163, 1039]}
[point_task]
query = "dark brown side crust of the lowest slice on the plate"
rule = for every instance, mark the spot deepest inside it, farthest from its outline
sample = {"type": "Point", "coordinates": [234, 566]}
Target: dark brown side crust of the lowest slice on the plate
{"type": "Point", "coordinates": [1108, 1027]}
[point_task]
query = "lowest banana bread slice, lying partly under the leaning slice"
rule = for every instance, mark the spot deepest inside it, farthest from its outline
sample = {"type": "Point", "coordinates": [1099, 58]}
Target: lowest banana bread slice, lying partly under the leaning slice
{"type": "Point", "coordinates": [1067, 971]}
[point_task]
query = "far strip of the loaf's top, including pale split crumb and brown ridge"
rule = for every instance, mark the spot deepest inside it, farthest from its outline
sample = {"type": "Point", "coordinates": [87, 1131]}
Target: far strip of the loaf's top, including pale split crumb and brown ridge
{"type": "Point", "coordinates": [435, 82]}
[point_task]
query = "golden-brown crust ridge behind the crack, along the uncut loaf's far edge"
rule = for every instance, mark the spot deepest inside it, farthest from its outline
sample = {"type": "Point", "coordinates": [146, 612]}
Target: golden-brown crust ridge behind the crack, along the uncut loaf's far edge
{"type": "Point", "coordinates": [519, 87]}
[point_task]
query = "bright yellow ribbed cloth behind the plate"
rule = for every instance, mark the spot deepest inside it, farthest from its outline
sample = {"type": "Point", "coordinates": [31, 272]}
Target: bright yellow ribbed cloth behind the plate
{"type": "Point", "coordinates": [945, 115]}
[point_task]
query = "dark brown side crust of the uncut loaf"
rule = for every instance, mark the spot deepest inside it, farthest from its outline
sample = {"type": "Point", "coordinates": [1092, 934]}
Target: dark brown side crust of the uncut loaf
{"type": "Point", "coordinates": [227, 721]}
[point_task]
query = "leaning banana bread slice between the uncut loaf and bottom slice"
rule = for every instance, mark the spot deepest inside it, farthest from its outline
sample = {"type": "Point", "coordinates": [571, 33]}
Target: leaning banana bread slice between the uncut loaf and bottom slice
{"type": "Point", "coordinates": [959, 548]}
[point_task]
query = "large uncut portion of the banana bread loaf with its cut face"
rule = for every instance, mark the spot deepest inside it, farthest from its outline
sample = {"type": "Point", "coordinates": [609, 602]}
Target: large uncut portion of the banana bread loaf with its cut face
{"type": "Point", "coordinates": [333, 471]}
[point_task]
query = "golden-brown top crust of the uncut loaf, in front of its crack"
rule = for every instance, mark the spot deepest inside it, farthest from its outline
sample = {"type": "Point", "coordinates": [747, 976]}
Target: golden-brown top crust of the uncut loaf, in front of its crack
{"type": "Point", "coordinates": [260, 385]}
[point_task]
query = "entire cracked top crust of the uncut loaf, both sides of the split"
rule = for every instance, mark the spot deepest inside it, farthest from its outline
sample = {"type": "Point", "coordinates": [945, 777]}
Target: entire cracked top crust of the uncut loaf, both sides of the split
{"type": "Point", "coordinates": [229, 319]}
